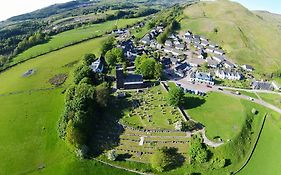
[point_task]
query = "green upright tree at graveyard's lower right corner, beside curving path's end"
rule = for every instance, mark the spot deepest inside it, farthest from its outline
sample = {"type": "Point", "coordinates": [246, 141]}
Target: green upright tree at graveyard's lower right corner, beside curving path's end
{"type": "Point", "coordinates": [197, 151]}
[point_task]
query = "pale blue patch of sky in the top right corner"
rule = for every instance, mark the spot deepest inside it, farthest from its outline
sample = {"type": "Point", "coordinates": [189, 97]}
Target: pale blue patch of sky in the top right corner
{"type": "Point", "coordinates": [273, 6]}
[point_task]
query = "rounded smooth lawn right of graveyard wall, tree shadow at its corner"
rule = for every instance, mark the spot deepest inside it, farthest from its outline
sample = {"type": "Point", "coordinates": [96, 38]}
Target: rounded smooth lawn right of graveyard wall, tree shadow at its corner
{"type": "Point", "coordinates": [221, 114]}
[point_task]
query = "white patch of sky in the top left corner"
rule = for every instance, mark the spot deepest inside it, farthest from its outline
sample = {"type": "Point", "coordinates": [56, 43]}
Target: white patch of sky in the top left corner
{"type": "Point", "coordinates": [9, 8]}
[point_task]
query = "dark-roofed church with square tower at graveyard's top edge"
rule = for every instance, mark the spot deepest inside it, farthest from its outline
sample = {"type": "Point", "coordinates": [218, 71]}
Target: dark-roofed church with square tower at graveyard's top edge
{"type": "Point", "coordinates": [128, 81]}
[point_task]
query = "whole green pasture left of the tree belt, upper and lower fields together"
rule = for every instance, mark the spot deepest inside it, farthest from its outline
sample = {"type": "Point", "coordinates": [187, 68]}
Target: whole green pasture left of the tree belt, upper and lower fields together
{"type": "Point", "coordinates": [28, 119]}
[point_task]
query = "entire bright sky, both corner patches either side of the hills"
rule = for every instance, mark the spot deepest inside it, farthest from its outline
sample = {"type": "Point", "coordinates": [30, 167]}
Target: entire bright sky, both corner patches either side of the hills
{"type": "Point", "coordinates": [9, 8]}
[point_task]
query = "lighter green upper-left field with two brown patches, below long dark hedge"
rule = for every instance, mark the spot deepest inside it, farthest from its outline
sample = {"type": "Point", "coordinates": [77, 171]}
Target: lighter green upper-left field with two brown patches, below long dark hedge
{"type": "Point", "coordinates": [46, 67]}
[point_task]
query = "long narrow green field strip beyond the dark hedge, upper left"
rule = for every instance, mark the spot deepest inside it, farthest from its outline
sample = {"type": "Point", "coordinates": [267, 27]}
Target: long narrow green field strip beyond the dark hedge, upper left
{"type": "Point", "coordinates": [73, 36]}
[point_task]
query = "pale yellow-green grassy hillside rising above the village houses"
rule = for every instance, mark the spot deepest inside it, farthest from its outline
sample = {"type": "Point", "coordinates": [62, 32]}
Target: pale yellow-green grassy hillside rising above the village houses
{"type": "Point", "coordinates": [245, 37]}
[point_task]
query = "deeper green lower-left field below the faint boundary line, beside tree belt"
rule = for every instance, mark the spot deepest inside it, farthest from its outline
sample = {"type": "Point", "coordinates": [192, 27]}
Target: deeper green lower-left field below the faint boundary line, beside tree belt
{"type": "Point", "coordinates": [28, 132]}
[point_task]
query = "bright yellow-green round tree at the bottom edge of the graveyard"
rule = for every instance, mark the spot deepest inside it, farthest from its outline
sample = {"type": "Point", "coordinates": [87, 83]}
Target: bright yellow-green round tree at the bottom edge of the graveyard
{"type": "Point", "coordinates": [161, 159]}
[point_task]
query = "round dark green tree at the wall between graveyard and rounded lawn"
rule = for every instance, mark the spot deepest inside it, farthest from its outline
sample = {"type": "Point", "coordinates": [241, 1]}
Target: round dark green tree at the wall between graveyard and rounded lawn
{"type": "Point", "coordinates": [176, 96]}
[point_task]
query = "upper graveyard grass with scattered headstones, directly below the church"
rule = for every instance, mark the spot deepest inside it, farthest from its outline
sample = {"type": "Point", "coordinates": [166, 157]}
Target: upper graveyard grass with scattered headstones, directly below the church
{"type": "Point", "coordinates": [150, 110]}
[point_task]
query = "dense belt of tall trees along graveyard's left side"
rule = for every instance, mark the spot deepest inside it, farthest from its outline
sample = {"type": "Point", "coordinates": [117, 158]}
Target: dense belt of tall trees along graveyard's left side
{"type": "Point", "coordinates": [84, 104]}
